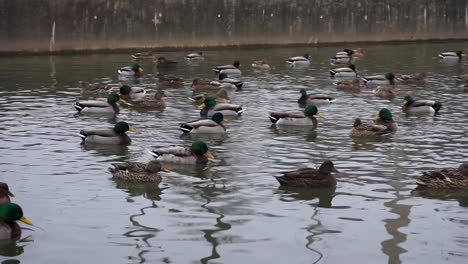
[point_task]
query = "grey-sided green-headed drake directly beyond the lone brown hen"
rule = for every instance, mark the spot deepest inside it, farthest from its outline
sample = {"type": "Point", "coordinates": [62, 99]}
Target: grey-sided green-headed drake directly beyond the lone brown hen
{"type": "Point", "coordinates": [306, 118]}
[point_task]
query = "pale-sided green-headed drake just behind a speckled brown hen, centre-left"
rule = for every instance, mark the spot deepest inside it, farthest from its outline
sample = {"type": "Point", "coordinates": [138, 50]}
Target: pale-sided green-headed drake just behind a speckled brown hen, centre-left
{"type": "Point", "coordinates": [197, 153]}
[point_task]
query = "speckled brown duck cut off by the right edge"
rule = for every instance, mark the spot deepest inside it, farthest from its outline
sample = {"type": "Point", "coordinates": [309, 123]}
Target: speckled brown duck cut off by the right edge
{"type": "Point", "coordinates": [448, 178]}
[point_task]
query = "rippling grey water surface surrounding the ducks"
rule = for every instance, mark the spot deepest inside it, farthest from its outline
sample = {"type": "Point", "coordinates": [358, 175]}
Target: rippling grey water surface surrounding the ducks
{"type": "Point", "coordinates": [233, 211]}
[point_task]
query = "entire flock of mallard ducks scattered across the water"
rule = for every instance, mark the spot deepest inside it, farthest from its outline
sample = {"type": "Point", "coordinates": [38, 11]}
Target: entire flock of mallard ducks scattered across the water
{"type": "Point", "coordinates": [212, 97]}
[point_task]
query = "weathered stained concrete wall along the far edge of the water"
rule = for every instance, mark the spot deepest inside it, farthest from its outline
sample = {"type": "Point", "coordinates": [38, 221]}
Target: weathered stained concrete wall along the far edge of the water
{"type": "Point", "coordinates": [64, 25]}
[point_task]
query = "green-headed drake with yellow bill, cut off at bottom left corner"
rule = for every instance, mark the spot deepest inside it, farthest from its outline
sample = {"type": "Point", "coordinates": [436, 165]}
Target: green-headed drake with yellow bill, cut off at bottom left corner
{"type": "Point", "coordinates": [9, 214]}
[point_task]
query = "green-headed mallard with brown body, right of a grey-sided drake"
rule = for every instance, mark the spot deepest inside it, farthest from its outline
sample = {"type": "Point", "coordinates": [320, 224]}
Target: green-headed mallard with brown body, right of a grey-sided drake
{"type": "Point", "coordinates": [384, 124]}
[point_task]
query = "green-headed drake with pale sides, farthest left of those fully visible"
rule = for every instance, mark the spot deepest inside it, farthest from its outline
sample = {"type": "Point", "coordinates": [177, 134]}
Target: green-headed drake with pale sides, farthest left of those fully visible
{"type": "Point", "coordinates": [96, 106]}
